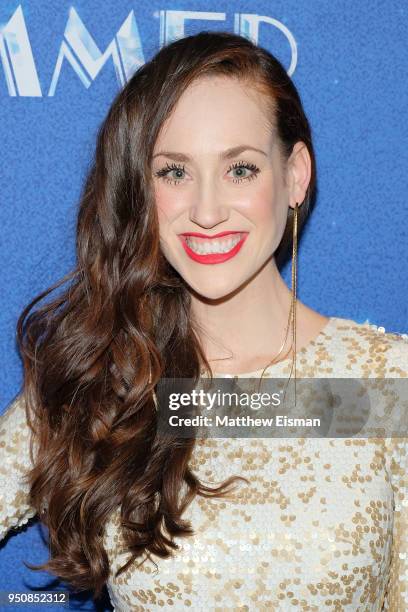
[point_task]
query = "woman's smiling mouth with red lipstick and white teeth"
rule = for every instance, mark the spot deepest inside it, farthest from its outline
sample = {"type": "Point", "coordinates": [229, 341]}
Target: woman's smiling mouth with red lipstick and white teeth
{"type": "Point", "coordinates": [210, 250]}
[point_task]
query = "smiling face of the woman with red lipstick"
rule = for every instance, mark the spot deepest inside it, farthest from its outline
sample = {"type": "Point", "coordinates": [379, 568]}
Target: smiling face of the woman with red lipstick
{"type": "Point", "coordinates": [203, 186]}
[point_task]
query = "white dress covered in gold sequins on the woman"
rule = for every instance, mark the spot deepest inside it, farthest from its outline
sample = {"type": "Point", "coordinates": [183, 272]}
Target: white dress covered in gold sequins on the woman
{"type": "Point", "coordinates": [323, 524]}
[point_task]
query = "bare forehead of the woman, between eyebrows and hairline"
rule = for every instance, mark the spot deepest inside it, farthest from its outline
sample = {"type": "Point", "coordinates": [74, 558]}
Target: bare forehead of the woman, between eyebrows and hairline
{"type": "Point", "coordinates": [217, 112]}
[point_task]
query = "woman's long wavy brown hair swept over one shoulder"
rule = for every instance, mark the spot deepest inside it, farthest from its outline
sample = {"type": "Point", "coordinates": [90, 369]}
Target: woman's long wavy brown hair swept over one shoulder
{"type": "Point", "coordinates": [93, 355]}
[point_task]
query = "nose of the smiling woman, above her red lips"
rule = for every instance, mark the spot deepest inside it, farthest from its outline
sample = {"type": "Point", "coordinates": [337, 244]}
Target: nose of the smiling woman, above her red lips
{"type": "Point", "coordinates": [209, 208]}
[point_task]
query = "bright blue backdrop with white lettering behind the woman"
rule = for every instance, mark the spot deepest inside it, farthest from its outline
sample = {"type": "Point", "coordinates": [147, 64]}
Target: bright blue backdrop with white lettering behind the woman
{"type": "Point", "coordinates": [62, 64]}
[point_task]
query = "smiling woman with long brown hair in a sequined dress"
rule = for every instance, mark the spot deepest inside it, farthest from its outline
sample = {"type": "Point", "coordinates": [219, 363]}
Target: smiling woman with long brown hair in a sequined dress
{"type": "Point", "coordinates": [209, 138]}
